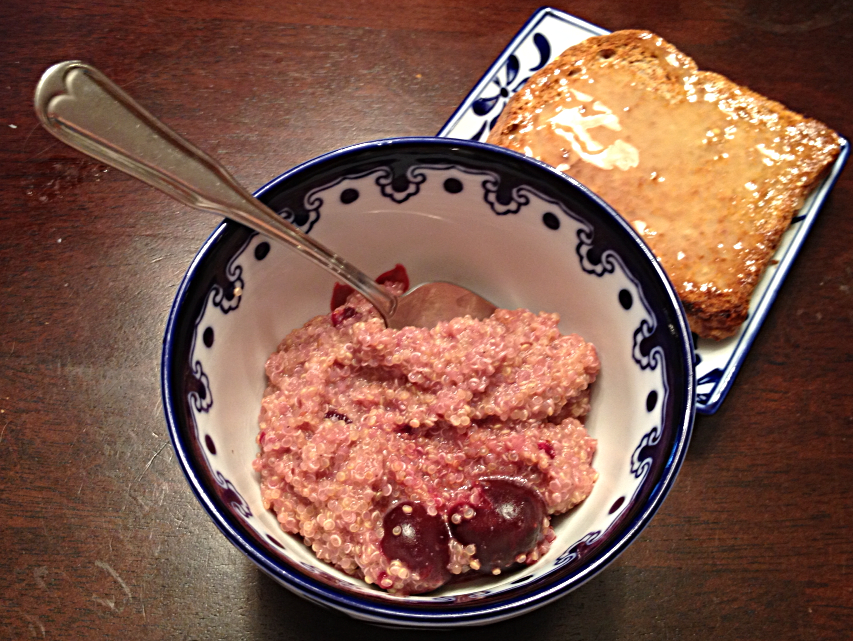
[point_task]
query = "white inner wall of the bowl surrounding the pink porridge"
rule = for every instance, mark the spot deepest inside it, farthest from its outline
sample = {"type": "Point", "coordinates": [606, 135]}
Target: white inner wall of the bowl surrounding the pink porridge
{"type": "Point", "coordinates": [513, 259]}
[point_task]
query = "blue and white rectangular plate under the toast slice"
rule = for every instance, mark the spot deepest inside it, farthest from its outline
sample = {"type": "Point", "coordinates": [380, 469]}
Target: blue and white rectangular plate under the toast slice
{"type": "Point", "coordinates": [546, 35]}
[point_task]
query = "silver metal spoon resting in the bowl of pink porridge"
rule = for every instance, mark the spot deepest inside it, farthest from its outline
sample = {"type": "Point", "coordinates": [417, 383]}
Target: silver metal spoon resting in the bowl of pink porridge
{"type": "Point", "coordinates": [83, 108]}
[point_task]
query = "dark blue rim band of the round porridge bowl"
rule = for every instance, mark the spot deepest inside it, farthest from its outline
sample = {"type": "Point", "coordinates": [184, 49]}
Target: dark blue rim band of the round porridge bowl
{"type": "Point", "coordinates": [400, 612]}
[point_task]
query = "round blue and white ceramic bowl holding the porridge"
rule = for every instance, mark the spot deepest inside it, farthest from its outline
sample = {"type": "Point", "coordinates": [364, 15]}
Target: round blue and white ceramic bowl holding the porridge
{"type": "Point", "coordinates": [510, 228]}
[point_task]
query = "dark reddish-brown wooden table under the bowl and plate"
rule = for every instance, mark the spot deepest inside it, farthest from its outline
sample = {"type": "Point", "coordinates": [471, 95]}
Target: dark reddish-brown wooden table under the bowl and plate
{"type": "Point", "coordinates": [100, 535]}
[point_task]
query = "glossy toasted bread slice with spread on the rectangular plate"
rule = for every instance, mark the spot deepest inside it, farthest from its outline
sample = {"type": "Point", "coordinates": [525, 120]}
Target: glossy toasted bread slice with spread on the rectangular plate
{"type": "Point", "coordinates": [708, 172]}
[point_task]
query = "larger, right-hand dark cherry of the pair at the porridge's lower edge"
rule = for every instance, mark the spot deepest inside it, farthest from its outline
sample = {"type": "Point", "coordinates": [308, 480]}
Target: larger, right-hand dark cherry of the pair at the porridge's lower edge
{"type": "Point", "coordinates": [506, 524]}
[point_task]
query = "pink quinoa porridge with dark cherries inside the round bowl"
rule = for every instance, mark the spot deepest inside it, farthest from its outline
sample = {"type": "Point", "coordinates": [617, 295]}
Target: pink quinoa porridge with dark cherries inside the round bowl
{"type": "Point", "coordinates": [408, 457]}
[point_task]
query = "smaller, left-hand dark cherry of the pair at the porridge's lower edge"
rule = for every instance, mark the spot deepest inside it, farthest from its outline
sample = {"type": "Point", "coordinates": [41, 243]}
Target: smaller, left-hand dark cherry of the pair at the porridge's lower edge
{"type": "Point", "coordinates": [420, 541]}
